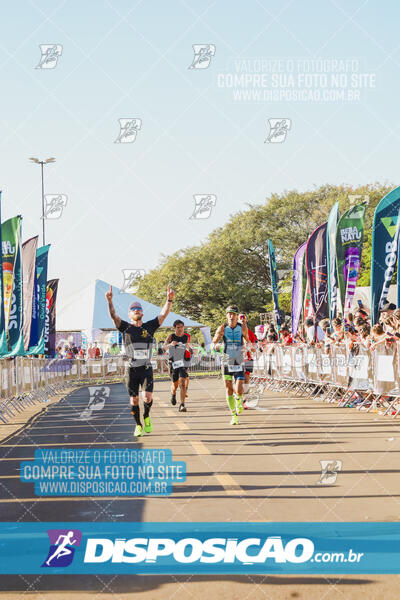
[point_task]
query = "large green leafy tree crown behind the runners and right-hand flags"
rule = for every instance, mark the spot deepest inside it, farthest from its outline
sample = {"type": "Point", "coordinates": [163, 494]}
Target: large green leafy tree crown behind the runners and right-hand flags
{"type": "Point", "coordinates": [231, 265]}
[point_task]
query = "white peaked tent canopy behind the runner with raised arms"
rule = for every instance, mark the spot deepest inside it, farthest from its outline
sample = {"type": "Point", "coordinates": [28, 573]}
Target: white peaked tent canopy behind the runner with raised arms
{"type": "Point", "coordinates": [88, 310]}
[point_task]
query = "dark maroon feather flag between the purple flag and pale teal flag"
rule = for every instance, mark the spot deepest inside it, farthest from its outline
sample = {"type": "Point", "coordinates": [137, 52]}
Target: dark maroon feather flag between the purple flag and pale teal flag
{"type": "Point", "coordinates": [317, 272]}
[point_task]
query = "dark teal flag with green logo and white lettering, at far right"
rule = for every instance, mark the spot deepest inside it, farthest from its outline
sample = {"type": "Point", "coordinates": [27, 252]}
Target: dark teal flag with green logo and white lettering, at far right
{"type": "Point", "coordinates": [383, 257]}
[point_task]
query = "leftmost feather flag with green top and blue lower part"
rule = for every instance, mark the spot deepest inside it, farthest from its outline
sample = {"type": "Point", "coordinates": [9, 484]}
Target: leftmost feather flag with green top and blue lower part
{"type": "Point", "coordinates": [12, 285]}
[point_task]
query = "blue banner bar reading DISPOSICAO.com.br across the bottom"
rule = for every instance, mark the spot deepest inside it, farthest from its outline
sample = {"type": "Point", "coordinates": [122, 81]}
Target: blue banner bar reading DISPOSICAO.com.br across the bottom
{"type": "Point", "coordinates": [199, 548]}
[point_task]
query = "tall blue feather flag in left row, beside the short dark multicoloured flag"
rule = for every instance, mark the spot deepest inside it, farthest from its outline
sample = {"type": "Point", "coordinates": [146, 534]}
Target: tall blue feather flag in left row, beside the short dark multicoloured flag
{"type": "Point", "coordinates": [39, 304]}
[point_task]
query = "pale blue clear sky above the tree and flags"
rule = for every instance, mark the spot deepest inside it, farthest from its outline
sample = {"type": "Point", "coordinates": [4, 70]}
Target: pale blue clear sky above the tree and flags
{"type": "Point", "coordinates": [203, 131]}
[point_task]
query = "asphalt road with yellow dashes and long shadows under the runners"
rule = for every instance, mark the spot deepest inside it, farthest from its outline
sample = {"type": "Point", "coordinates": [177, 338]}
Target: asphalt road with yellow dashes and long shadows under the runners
{"type": "Point", "coordinates": [266, 469]}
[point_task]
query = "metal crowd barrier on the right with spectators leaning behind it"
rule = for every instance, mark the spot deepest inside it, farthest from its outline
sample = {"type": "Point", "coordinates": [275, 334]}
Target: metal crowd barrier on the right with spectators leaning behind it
{"type": "Point", "coordinates": [359, 377]}
